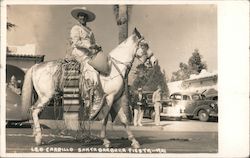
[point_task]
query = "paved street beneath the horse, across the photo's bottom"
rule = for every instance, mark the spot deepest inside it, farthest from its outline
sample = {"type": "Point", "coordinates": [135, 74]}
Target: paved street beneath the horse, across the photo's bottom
{"type": "Point", "coordinates": [187, 136]}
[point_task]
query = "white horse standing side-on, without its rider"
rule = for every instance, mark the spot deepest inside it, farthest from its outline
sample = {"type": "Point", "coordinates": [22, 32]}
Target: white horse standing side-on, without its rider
{"type": "Point", "coordinates": [40, 77]}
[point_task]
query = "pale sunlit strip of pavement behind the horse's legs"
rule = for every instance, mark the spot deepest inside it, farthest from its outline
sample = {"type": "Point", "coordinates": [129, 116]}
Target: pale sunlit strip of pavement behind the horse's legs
{"type": "Point", "coordinates": [148, 125]}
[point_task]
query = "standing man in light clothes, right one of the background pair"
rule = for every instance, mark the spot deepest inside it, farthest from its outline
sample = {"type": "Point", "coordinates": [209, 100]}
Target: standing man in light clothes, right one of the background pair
{"type": "Point", "coordinates": [156, 99]}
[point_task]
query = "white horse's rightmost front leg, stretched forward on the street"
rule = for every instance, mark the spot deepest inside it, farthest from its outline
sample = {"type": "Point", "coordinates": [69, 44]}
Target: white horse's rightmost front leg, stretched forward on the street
{"type": "Point", "coordinates": [124, 121]}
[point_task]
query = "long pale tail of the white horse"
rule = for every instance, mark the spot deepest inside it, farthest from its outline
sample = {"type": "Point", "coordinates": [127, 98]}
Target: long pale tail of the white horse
{"type": "Point", "coordinates": [27, 93]}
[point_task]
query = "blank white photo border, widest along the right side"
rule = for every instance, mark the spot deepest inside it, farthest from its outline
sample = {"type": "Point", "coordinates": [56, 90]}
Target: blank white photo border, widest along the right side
{"type": "Point", "coordinates": [233, 77]}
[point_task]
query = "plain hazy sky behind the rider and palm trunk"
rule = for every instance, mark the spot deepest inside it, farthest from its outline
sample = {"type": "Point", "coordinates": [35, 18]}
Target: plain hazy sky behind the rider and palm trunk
{"type": "Point", "coordinates": [173, 31]}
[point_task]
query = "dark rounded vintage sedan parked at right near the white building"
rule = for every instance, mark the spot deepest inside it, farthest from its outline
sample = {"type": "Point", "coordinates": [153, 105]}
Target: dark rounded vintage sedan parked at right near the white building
{"type": "Point", "coordinates": [195, 105]}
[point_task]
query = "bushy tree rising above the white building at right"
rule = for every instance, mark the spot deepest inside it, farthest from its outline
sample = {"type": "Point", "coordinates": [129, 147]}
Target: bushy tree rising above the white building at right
{"type": "Point", "coordinates": [194, 66]}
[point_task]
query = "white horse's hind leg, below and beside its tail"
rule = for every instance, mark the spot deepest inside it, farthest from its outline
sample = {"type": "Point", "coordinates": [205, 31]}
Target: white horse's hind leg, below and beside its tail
{"type": "Point", "coordinates": [39, 105]}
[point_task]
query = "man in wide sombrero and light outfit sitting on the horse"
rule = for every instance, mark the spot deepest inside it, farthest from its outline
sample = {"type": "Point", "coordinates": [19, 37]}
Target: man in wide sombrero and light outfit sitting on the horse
{"type": "Point", "coordinates": [84, 48]}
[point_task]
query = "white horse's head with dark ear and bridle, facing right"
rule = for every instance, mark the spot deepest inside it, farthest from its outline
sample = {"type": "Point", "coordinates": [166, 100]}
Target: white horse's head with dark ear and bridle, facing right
{"type": "Point", "coordinates": [143, 52]}
